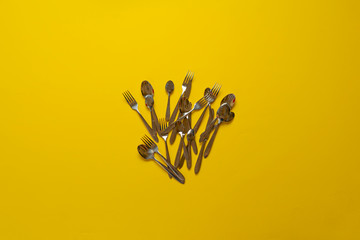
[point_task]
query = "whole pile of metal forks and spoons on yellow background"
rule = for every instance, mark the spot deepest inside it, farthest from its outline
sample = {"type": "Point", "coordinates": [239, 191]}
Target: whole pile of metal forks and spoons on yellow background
{"type": "Point", "coordinates": [182, 125]}
